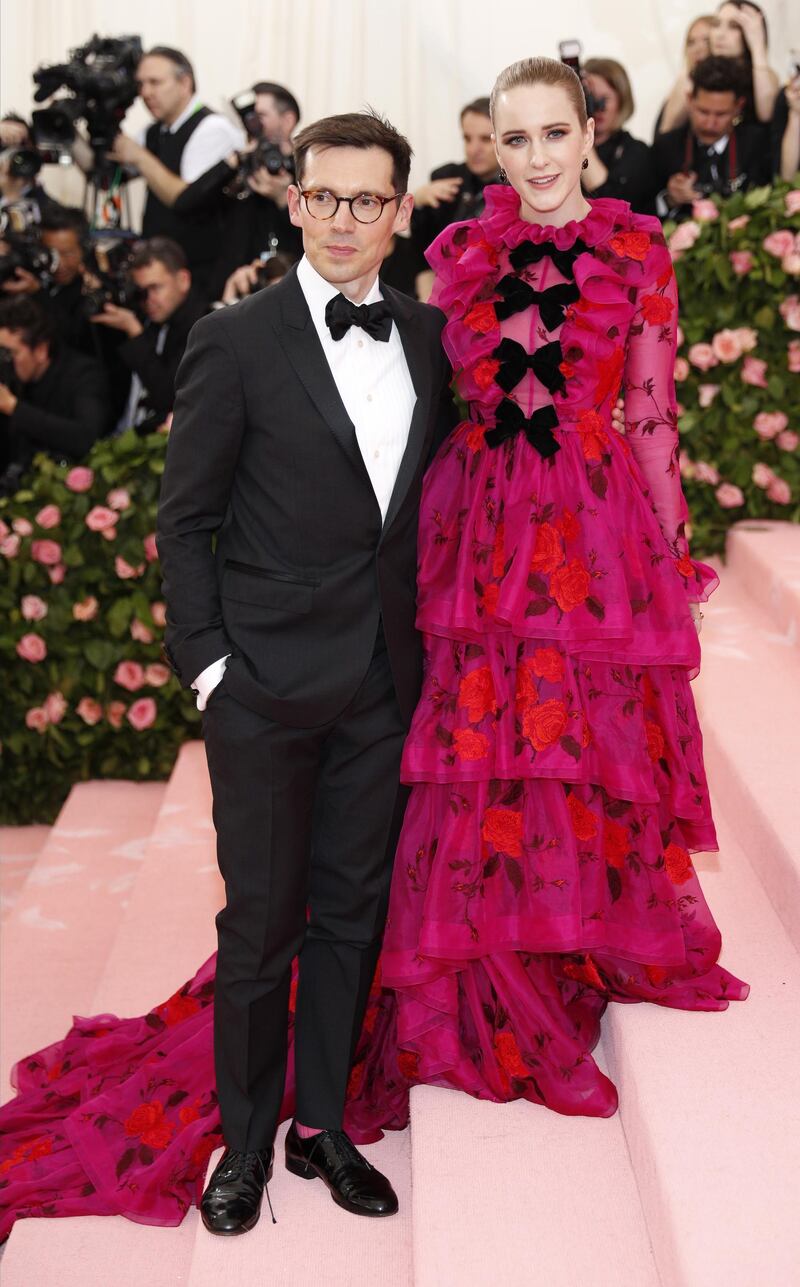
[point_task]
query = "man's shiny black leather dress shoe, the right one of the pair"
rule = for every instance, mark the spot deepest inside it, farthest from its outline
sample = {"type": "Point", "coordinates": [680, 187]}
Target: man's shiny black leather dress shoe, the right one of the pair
{"type": "Point", "coordinates": [332, 1156]}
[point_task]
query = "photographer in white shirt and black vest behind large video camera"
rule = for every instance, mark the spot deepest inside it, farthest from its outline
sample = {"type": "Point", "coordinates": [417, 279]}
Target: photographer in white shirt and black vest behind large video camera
{"type": "Point", "coordinates": [185, 142]}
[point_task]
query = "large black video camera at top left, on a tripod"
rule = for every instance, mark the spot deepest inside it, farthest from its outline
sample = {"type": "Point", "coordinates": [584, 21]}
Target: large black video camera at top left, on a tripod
{"type": "Point", "coordinates": [102, 82]}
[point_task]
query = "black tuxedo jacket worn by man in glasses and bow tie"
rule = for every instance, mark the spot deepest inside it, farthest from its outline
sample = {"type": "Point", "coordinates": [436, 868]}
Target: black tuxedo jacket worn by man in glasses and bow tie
{"type": "Point", "coordinates": [264, 458]}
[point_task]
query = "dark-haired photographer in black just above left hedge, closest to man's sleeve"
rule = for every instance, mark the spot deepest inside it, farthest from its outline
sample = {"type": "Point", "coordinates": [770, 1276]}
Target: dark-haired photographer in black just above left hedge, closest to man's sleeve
{"type": "Point", "coordinates": [154, 349]}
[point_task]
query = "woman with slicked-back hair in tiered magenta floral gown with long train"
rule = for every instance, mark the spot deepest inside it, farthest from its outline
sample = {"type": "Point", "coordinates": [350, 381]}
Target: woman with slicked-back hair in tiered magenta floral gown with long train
{"type": "Point", "coordinates": [559, 790]}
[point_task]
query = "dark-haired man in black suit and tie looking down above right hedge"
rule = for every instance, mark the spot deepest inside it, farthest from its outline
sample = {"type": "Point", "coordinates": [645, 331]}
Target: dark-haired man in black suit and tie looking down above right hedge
{"type": "Point", "coordinates": [711, 154]}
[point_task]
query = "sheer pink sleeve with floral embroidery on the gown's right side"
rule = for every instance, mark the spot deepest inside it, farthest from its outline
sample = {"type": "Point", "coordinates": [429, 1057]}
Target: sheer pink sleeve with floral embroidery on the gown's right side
{"type": "Point", "coordinates": [651, 416]}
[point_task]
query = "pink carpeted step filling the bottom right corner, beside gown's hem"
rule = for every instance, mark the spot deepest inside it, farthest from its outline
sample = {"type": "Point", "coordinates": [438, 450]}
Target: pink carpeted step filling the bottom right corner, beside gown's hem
{"type": "Point", "coordinates": [709, 1102]}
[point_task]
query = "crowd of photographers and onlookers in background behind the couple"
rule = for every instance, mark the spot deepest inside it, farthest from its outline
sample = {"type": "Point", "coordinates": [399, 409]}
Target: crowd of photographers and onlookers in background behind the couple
{"type": "Point", "coordinates": [95, 319]}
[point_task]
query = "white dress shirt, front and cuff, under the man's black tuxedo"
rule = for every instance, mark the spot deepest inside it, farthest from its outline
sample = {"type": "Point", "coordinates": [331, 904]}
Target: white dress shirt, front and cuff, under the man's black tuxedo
{"type": "Point", "coordinates": [374, 382]}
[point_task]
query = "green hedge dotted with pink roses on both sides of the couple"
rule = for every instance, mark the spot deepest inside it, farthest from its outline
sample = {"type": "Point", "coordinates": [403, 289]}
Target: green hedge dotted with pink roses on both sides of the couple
{"type": "Point", "coordinates": [82, 618]}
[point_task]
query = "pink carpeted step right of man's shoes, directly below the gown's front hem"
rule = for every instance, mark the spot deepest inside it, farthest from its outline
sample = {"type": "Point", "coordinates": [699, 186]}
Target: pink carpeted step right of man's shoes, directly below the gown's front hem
{"type": "Point", "coordinates": [516, 1195]}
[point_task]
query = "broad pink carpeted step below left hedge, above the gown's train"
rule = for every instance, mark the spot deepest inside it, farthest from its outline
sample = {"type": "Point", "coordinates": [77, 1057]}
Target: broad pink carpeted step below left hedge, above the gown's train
{"type": "Point", "coordinates": [61, 930]}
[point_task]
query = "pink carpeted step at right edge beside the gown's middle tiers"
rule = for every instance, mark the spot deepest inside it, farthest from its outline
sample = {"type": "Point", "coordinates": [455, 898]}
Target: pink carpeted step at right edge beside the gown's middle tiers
{"type": "Point", "coordinates": [749, 701]}
